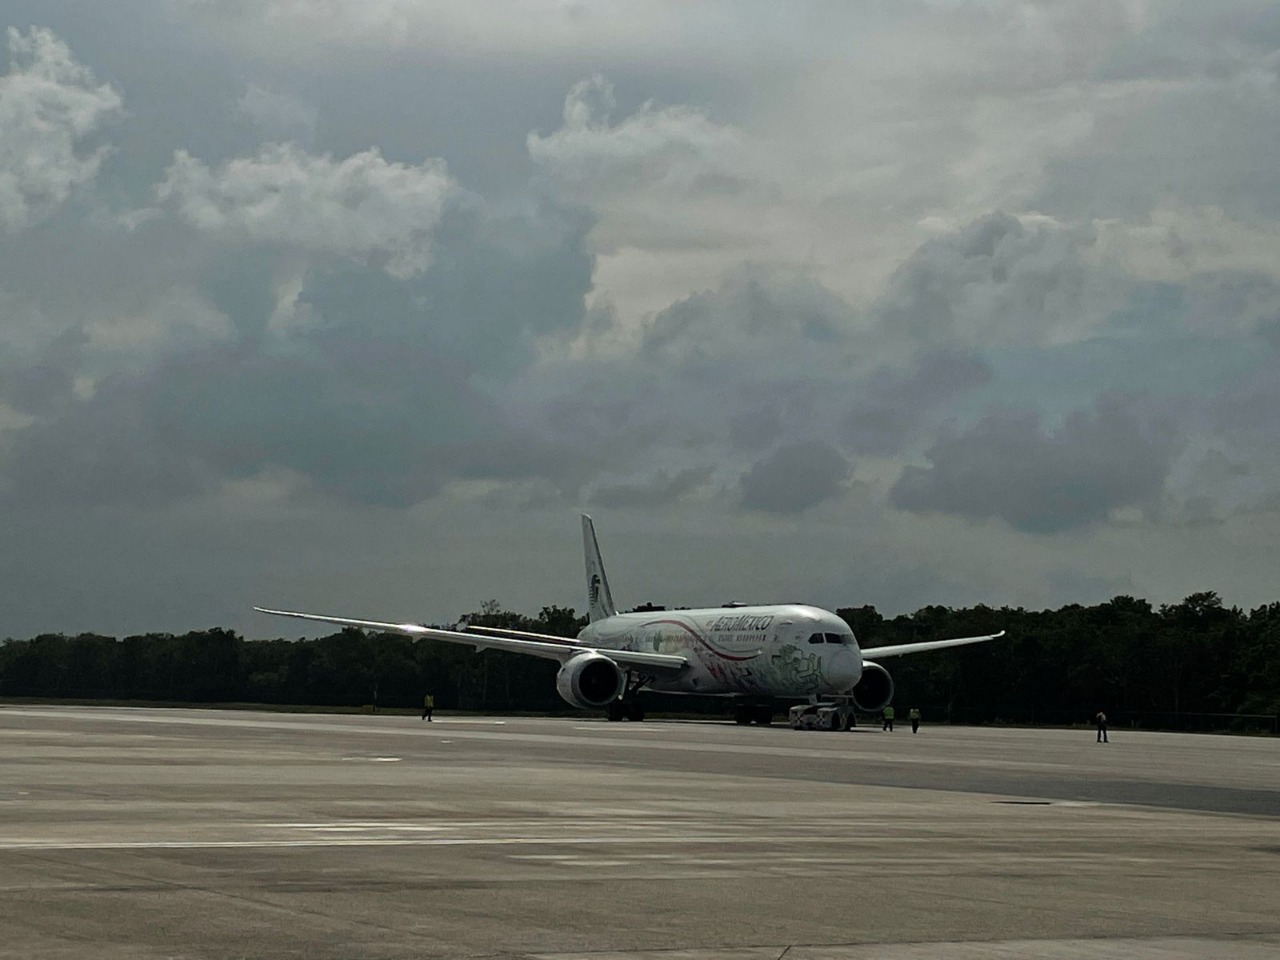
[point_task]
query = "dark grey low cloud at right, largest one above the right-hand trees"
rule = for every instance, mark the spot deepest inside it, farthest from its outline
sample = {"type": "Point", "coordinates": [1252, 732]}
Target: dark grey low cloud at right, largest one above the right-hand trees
{"type": "Point", "coordinates": [1008, 467]}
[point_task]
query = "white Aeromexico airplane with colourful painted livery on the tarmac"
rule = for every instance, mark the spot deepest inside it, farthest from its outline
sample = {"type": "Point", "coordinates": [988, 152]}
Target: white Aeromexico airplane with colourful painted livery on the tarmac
{"type": "Point", "coordinates": [751, 653]}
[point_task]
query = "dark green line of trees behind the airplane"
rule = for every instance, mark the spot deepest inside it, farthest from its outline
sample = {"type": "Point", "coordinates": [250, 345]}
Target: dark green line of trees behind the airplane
{"type": "Point", "coordinates": [1197, 665]}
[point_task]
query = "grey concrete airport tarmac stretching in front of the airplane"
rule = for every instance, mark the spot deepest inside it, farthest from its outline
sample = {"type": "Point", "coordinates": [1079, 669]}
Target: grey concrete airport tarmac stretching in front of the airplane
{"type": "Point", "coordinates": [150, 834]}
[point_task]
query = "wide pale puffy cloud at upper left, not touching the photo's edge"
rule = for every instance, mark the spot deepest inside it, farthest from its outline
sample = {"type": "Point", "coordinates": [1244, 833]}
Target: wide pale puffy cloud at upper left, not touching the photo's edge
{"type": "Point", "coordinates": [363, 208]}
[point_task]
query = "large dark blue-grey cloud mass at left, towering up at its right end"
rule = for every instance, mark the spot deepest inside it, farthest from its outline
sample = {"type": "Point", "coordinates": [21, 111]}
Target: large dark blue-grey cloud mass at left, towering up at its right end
{"type": "Point", "coordinates": [376, 395]}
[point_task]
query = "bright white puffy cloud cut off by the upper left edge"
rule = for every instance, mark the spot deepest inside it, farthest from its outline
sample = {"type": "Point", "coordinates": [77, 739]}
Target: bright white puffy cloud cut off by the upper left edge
{"type": "Point", "coordinates": [51, 108]}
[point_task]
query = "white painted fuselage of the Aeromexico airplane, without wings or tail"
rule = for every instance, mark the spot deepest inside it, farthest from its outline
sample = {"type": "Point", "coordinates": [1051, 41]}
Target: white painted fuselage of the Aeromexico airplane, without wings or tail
{"type": "Point", "coordinates": [776, 651]}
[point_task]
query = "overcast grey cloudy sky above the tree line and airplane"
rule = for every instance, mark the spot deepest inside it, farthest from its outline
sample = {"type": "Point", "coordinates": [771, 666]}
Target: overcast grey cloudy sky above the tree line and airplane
{"type": "Point", "coordinates": [353, 307]}
